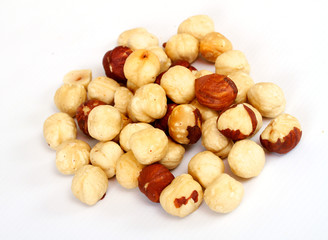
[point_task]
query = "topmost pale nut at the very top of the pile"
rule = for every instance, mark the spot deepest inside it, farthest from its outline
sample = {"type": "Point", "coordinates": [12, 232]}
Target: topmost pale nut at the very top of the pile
{"type": "Point", "coordinates": [198, 26]}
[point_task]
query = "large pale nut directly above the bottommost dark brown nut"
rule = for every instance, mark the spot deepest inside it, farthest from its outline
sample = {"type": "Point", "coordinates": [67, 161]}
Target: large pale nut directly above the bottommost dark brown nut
{"type": "Point", "coordinates": [149, 145]}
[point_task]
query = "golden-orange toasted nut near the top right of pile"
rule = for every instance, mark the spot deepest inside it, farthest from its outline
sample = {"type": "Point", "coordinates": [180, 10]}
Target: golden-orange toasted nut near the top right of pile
{"type": "Point", "coordinates": [213, 45]}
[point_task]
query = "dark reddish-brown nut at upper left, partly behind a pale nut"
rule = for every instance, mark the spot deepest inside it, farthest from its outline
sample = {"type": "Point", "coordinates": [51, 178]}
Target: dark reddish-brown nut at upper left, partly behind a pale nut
{"type": "Point", "coordinates": [113, 63]}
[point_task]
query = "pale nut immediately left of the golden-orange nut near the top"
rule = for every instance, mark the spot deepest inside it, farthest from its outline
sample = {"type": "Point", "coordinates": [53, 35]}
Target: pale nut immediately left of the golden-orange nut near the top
{"type": "Point", "coordinates": [182, 46]}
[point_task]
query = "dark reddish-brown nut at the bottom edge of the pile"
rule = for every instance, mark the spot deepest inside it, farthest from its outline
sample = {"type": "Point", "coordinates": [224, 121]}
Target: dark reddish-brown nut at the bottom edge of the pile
{"type": "Point", "coordinates": [153, 179]}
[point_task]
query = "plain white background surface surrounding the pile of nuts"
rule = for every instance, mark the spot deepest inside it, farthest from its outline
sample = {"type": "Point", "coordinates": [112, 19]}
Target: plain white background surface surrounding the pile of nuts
{"type": "Point", "coordinates": [285, 43]}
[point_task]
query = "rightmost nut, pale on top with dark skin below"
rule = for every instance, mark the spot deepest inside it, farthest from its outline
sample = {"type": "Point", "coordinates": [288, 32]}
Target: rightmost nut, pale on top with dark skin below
{"type": "Point", "coordinates": [282, 134]}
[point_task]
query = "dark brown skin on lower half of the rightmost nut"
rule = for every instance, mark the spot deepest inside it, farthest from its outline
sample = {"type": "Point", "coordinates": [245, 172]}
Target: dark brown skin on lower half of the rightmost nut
{"type": "Point", "coordinates": [288, 143]}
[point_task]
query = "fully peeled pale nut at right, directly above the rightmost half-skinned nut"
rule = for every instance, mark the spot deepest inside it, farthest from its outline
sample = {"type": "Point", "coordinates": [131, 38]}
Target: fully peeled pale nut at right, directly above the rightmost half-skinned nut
{"type": "Point", "coordinates": [268, 98]}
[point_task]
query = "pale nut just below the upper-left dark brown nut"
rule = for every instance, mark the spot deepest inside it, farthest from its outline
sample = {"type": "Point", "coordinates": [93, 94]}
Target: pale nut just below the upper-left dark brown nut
{"type": "Point", "coordinates": [103, 89]}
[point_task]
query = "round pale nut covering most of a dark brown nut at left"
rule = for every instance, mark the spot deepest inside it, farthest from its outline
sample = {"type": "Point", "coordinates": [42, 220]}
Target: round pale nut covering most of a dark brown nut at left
{"type": "Point", "coordinates": [104, 123]}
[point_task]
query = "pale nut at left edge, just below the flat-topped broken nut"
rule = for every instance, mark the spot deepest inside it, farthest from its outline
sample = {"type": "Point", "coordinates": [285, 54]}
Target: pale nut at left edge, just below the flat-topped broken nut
{"type": "Point", "coordinates": [69, 97]}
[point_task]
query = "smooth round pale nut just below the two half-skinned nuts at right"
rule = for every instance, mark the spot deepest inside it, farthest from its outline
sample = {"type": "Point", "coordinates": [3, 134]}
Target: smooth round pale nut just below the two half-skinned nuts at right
{"type": "Point", "coordinates": [246, 159]}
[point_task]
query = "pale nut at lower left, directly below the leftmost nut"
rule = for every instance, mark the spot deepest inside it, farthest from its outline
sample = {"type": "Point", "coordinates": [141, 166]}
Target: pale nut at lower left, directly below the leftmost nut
{"type": "Point", "coordinates": [71, 155]}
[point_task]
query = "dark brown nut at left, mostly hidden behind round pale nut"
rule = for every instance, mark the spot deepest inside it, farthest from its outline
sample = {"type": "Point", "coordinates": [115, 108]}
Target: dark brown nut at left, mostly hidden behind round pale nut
{"type": "Point", "coordinates": [82, 114]}
